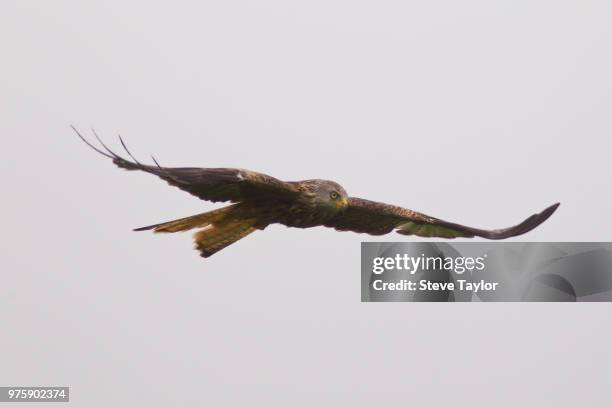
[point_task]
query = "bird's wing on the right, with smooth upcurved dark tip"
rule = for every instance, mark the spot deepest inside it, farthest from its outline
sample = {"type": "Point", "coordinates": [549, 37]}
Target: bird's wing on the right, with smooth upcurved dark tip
{"type": "Point", "coordinates": [378, 219]}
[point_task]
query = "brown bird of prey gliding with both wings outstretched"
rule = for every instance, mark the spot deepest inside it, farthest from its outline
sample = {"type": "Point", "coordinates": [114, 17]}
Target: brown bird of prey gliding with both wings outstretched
{"type": "Point", "coordinates": [259, 200]}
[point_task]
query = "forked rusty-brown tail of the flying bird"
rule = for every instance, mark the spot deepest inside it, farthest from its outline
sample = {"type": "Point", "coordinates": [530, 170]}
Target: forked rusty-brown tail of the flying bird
{"type": "Point", "coordinates": [220, 228]}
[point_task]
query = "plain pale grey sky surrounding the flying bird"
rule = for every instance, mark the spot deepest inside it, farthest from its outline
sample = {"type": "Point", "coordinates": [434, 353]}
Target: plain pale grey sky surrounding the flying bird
{"type": "Point", "coordinates": [477, 112]}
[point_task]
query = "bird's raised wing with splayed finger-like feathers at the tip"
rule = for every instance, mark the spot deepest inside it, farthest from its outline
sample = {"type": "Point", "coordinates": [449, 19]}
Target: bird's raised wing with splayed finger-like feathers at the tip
{"type": "Point", "coordinates": [212, 184]}
